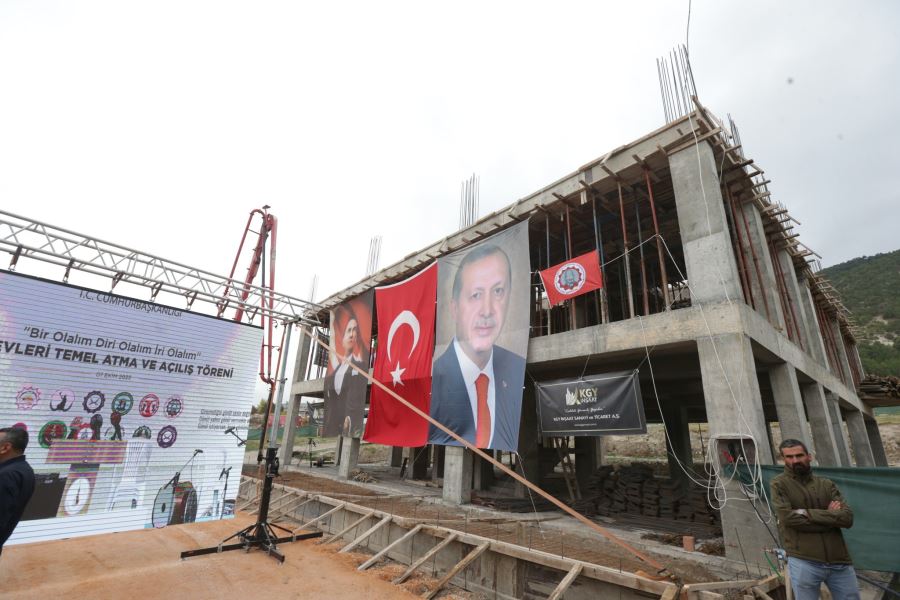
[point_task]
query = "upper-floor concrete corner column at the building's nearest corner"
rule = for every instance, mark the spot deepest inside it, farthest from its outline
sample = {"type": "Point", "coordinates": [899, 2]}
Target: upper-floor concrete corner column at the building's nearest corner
{"type": "Point", "coordinates": [708, 254]}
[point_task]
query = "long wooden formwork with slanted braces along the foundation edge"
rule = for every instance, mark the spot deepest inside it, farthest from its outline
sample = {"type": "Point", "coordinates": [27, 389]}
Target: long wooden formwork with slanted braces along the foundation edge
{"type": "Point", "coordinates": [497, 568]}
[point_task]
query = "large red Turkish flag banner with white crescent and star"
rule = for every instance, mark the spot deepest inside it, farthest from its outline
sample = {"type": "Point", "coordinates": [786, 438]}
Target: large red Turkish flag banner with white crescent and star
{"type": "Point", "coordinates": [403, 360]}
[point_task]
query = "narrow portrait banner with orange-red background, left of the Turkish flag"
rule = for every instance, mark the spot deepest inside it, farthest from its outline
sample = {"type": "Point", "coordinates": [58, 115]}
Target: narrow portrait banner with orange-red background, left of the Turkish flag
{"type": "Point", "coordinates": [345, 387]}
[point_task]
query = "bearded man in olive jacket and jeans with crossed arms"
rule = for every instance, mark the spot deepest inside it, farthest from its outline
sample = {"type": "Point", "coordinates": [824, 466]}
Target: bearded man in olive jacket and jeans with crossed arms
{"type": "Point", "coordinates": [811, 513]}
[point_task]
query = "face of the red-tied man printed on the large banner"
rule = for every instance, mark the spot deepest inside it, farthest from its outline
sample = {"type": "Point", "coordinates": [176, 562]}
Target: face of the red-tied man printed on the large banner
{"type": "Point", "coordinates": [480, 308]}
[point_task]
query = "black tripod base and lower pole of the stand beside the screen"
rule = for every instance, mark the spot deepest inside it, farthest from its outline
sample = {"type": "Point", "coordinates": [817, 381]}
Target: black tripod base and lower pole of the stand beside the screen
{"type": "Point", "coordinates": [262, 533]}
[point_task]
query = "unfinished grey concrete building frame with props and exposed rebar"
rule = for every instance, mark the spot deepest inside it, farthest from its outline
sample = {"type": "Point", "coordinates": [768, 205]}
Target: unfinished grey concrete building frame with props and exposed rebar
{"type": "Point", "coordinates": [708, 292]}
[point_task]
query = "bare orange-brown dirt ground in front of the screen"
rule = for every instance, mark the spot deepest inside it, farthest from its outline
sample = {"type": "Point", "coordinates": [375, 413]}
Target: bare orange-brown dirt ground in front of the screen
{"type": "Point", "coordinates": [146, 562]}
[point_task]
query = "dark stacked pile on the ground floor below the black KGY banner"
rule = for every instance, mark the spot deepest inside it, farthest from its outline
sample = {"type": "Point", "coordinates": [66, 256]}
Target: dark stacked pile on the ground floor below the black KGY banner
{"type": "Point", "coordinates": [635, 490]}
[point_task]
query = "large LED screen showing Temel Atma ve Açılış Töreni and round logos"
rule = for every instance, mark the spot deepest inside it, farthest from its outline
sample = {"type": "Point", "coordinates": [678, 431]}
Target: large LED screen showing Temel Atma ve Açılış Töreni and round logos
{"type": "Point", "coordinates": [126, 404]}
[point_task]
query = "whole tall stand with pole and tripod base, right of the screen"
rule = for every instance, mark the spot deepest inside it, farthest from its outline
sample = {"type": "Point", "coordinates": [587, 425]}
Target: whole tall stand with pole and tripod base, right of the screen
{"type": "Point", "coordinates": [262, 533]}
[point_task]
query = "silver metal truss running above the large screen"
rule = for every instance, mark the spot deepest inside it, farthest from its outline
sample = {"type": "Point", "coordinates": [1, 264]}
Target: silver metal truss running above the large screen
{"type": "Point", "coordinates": [24, 237]}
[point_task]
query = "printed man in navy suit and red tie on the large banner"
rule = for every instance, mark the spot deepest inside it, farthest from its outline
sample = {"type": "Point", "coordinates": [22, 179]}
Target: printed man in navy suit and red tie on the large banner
{"type": "Point", "coordinates": [477, 385]}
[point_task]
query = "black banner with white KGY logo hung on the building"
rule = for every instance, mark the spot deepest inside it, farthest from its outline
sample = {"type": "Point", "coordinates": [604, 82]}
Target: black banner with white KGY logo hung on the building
{"type": "Point", "coordinates": [607, 404]}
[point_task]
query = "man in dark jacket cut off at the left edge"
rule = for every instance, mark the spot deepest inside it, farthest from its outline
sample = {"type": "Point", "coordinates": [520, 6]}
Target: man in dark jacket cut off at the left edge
{"type": "Point", "coordinates": [16, 480]}
